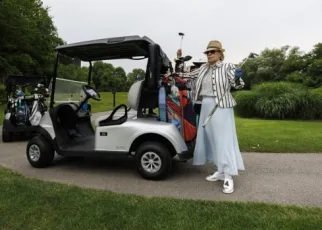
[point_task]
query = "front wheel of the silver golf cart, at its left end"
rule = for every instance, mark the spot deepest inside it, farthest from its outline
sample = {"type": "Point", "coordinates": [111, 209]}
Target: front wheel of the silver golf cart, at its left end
{"type": "Point", "coordinates": [40, 153]}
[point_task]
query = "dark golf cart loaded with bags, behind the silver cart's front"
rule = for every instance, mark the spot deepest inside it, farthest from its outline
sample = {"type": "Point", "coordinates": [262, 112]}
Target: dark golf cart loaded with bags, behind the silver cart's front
{"type": "Point", "coordinates": [23, 93]}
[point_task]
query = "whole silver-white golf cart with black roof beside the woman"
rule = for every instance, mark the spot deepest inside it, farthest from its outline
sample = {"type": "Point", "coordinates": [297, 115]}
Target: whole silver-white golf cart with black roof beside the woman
{"type": "Point", "coordinates": [67, 130]}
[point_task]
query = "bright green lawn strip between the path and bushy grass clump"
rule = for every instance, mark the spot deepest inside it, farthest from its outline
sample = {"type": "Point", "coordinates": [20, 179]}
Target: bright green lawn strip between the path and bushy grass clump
{"type": "Point", "coordinates": [257, 135]}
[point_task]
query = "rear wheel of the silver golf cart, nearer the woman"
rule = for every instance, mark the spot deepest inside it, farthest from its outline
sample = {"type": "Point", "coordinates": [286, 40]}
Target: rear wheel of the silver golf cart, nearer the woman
{"type": "Point", "coordinates": [153, 161]}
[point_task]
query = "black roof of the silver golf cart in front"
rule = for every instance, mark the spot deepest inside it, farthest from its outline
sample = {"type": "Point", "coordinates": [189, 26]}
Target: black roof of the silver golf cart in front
{"type": "Point", "coordinates": [127, 47]}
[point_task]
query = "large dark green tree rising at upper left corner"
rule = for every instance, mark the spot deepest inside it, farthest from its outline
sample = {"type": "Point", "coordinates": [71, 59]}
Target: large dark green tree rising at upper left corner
{"type": "Point", "coordinates": [28, 38]}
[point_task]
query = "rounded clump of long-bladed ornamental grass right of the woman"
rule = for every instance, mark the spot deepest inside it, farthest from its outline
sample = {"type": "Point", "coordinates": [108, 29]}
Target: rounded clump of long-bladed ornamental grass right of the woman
{"type": "Point", "coordinates": [280, 100]}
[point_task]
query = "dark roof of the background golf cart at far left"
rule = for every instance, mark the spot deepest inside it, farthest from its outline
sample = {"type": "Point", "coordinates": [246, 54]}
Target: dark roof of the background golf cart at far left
{"type": "Point", "coordinates": [14, 80]}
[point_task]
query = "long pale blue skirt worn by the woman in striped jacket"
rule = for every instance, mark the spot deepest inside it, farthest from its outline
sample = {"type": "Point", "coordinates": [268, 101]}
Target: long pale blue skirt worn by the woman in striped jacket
{"type": "Point", "coordinates": [217, 142]}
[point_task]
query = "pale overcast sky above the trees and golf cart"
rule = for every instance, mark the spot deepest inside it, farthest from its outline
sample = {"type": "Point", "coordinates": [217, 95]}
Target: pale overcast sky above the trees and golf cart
{"type": "Point", "coordinates": [241, 26]}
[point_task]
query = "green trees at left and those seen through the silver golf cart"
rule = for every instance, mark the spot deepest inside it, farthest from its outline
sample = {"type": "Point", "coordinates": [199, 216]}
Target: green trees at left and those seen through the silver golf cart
{"type": "Point", "coordinates": [28, 37]}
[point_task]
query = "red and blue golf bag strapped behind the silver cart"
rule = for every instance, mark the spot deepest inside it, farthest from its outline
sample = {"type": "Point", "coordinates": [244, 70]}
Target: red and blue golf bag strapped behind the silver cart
{"type": "Point", "coordinates": [179, 106]}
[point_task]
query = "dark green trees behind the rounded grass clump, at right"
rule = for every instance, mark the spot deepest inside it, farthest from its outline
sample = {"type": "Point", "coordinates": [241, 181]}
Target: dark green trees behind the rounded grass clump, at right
{"type": "Point", "coordinates": [285, 64]}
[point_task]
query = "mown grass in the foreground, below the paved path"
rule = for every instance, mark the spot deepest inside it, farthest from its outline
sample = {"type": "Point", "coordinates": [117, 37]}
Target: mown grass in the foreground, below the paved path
{"type": "Point", "coordinates": [32, 204]}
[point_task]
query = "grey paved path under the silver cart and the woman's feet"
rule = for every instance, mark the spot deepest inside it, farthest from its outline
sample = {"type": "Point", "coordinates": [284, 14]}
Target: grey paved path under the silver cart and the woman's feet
{"type": "Point", "coordinates": [269, 177]}
